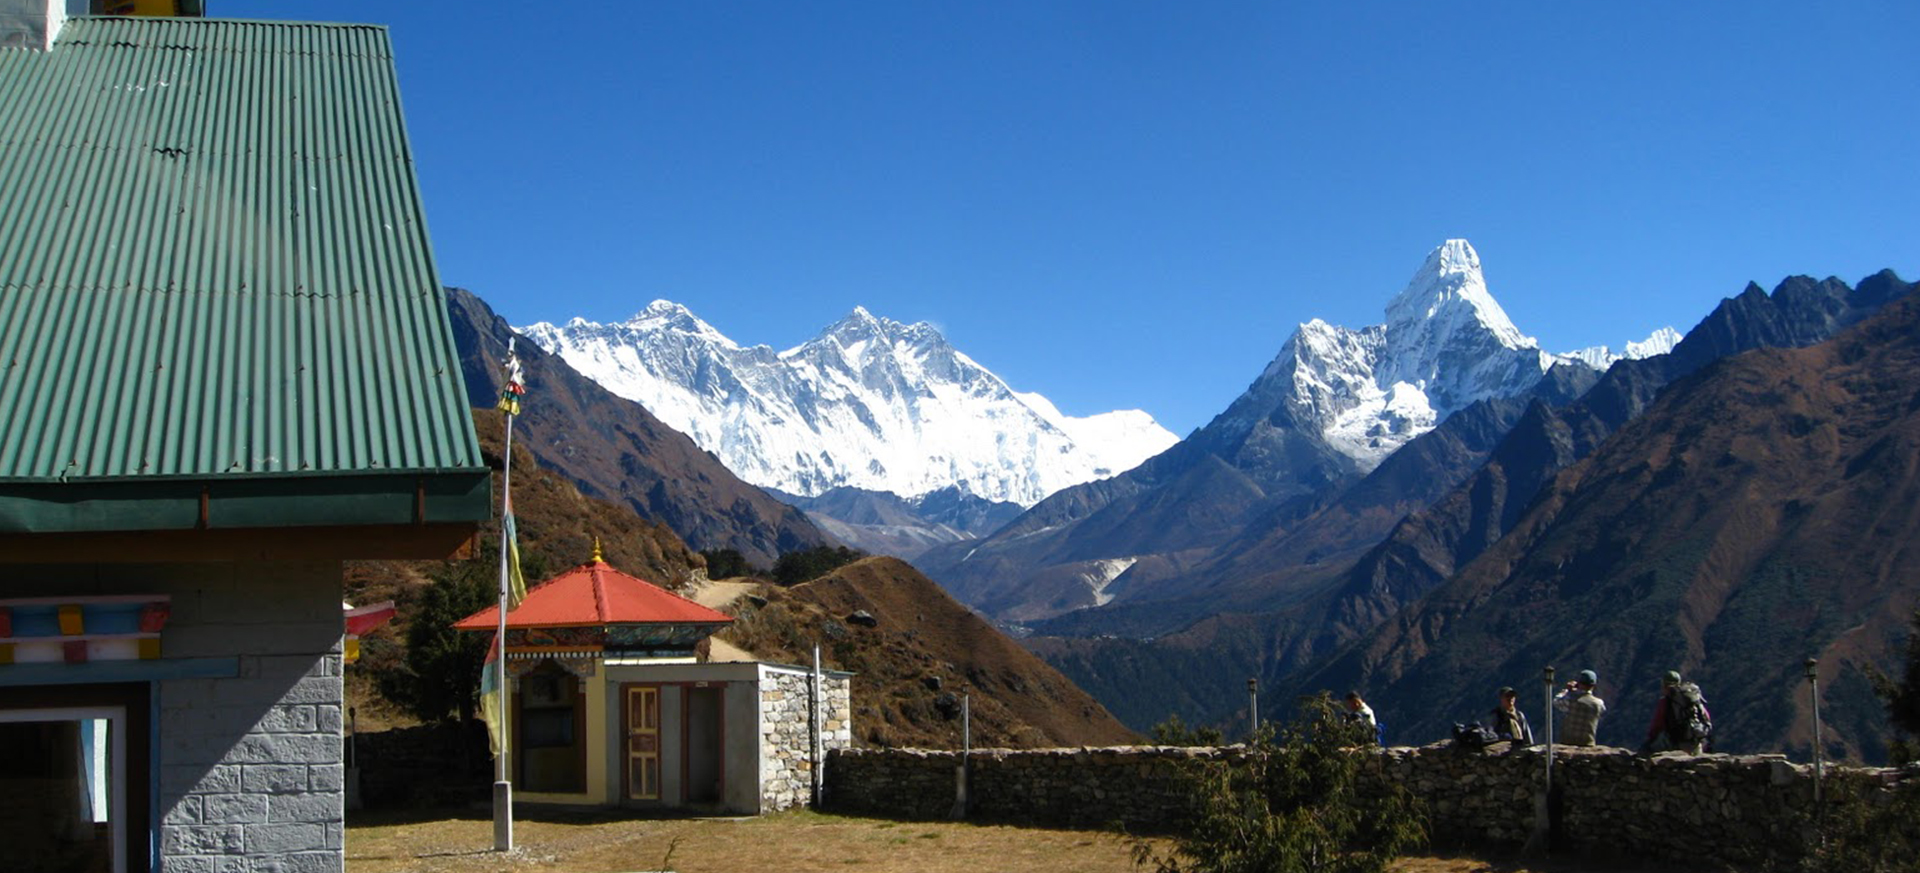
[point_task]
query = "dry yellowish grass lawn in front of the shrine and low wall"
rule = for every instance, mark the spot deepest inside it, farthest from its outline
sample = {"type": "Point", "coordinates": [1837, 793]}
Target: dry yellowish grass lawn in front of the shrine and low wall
{"type": "Point", "coordinates": [802, 841]}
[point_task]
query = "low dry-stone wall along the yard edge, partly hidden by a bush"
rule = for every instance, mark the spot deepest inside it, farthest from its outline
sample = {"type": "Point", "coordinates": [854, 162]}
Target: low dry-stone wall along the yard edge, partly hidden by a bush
{"type": "Point", "coordinates": [1671, 807]}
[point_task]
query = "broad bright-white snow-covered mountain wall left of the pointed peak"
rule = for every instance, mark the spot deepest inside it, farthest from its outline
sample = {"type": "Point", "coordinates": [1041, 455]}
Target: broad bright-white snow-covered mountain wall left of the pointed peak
{"type": "Point", "coordinates": [869, 404]}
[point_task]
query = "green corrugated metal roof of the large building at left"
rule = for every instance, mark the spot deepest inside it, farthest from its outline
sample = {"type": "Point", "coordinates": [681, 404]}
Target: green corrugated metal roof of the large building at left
{"type": "Point", "coordinates": [214, 260]}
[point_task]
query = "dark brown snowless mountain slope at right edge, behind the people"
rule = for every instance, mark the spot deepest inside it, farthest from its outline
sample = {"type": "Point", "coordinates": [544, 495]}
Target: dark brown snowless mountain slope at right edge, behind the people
{"type": "Point", "coordinates": [1760, 513]}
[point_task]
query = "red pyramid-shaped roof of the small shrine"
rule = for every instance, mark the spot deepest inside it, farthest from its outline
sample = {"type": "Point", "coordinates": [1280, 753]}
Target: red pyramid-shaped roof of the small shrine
{"type": "Point", "coordinates": [592, 596]}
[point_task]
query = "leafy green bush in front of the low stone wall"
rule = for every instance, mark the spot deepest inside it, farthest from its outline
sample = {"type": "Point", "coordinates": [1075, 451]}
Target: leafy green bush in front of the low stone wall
{"type": "Point", "coordinates": [1295, 807]}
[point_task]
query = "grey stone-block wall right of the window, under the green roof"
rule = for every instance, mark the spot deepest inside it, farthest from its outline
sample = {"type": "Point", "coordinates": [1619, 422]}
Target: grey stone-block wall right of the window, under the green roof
{"type": "Point", "coordinates": [251, 768]}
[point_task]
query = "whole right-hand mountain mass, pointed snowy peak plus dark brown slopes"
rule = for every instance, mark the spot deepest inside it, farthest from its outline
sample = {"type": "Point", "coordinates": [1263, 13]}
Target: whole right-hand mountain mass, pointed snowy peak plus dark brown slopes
{"type": "Point", "coordinates": [1383, 506]}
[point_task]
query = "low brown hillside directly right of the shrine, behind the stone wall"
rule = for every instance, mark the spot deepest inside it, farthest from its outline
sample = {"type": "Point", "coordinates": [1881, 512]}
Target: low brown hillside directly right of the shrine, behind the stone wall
{"type": "Point", "coordinates": [923, 653]}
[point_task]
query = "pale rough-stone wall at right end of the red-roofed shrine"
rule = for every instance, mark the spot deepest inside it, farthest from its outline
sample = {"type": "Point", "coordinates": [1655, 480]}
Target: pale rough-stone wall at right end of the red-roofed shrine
{"type": "Point", "coordinates": [786, 740]}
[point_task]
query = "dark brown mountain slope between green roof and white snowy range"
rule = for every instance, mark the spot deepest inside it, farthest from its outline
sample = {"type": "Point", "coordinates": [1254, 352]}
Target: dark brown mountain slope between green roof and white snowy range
{"type": "Point", "coordinates": [615, 450]}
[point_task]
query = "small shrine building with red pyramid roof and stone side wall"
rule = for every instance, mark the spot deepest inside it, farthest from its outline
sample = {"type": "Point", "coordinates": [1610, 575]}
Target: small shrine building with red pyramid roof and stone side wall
{"type": "Point", "coordinates": [613, 705]}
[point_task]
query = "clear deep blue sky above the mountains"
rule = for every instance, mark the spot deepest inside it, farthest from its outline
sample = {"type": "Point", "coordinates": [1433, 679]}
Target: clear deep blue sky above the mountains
{"type": "Point", "coordinates": [1132, 204]}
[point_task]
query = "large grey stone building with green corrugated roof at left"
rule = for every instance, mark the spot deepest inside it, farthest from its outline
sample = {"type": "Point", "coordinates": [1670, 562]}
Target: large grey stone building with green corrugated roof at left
{"type": "Point", "coordinates": [229, 369]}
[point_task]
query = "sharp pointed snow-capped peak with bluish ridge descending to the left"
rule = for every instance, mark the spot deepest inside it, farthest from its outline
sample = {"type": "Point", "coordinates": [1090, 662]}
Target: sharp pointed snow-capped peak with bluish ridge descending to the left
{"type": "Point", "coordinates": [1332, 408]}
